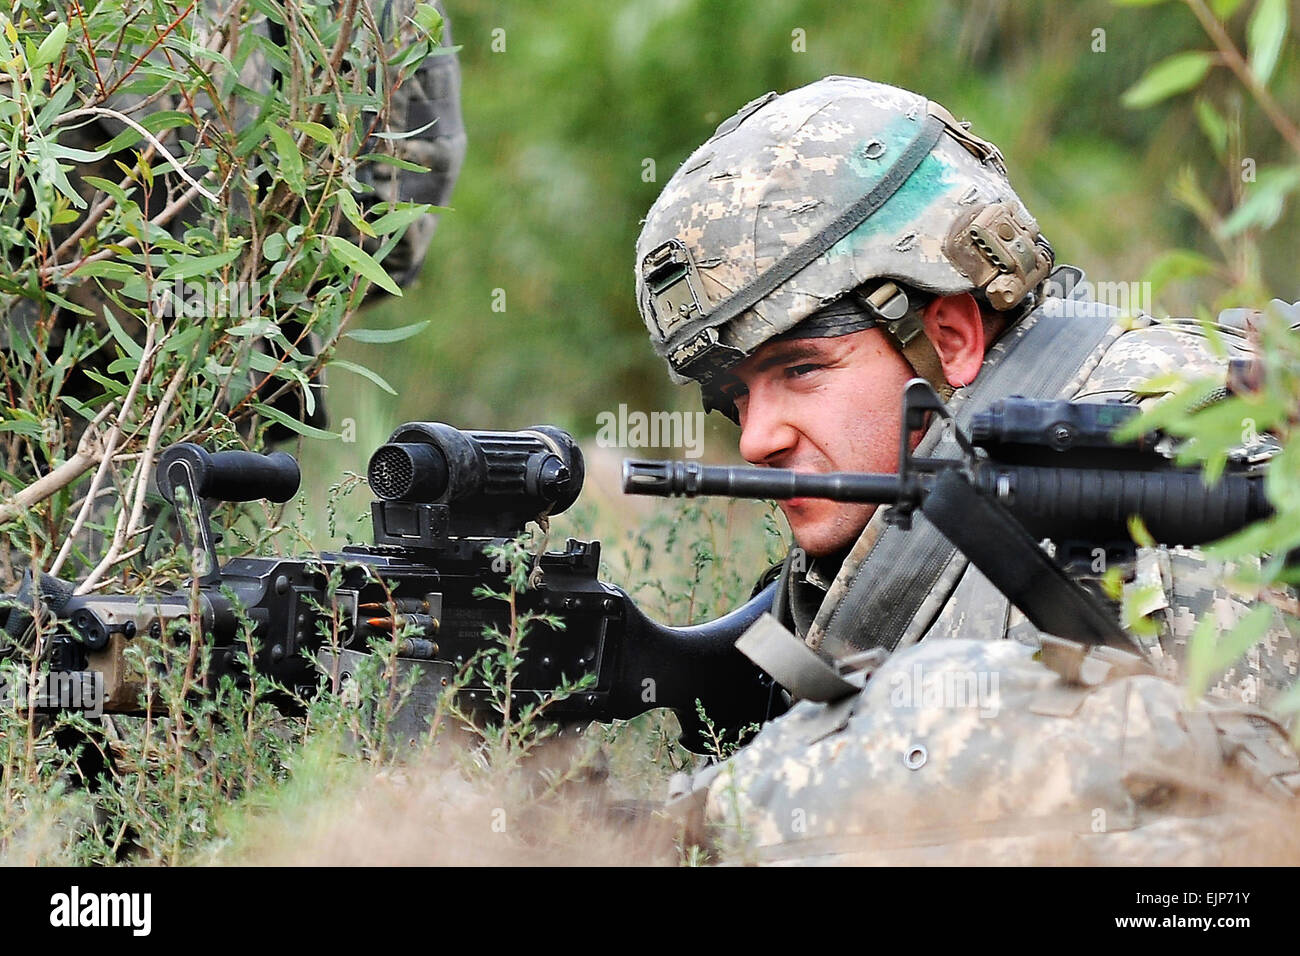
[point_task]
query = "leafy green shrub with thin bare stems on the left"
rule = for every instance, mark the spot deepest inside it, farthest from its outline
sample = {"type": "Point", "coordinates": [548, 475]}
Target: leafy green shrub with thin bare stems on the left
{"type": "Point", "coordinates": [175, 227]}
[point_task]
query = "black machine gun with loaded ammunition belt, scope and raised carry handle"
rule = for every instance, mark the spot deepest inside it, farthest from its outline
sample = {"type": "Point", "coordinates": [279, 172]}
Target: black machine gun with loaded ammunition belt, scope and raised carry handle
{"type": "Point", "coordinates": [444, 498]}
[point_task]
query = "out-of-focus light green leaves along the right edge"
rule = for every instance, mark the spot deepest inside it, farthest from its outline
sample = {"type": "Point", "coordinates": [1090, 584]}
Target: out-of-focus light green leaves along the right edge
{"type": "Point", "coordinates": [1266, 399]}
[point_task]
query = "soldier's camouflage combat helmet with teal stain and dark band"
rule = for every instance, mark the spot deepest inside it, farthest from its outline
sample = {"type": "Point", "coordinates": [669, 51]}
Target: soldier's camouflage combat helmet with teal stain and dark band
{"type": "Point", "coordinates": [840, 192]}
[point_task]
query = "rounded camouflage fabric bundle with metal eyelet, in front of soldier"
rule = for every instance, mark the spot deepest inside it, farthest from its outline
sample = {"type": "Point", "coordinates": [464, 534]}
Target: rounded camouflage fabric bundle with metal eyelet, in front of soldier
{"type": "Point", "coordinates": [974, 752]}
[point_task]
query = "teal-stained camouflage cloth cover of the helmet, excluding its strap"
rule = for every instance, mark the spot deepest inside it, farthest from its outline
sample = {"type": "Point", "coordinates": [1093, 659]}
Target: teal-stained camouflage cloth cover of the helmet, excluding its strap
{"type": "Point", "coordinates": [783, 168]}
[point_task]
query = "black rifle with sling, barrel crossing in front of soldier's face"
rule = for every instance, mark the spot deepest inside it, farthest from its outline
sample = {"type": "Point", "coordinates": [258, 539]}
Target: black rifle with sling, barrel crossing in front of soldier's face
{"type": "Point", "coordinates": [1030, 470]}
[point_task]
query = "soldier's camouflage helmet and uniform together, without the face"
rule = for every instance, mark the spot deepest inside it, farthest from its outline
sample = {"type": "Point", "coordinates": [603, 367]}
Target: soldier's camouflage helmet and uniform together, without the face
{"type": "Point", "coordinates": [1071, 756]}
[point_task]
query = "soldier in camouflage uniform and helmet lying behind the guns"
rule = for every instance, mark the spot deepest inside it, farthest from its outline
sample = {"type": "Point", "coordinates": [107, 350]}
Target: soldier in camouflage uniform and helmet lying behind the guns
{"type": "Point", "coordinates": [824, 248]}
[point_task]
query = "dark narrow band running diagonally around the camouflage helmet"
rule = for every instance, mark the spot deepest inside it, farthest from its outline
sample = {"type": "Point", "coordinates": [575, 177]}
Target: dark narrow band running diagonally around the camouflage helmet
{"type": "Point", "coordinates": [749, 296]}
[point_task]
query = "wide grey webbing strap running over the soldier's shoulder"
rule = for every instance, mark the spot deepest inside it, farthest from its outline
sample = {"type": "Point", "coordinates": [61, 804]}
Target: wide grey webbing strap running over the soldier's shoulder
{"type": "Point", "coordinates": [1042, 357]}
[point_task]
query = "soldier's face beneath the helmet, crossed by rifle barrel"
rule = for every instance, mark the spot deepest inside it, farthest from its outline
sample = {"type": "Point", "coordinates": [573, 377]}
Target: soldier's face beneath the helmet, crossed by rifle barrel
{"type": "Point", "coordinates": [821, 405]}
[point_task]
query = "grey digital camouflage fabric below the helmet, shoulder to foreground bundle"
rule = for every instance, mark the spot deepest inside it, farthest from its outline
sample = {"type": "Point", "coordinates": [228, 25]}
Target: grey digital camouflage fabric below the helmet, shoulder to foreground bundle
{"type": "Point", "coordinates": [1124, 771]}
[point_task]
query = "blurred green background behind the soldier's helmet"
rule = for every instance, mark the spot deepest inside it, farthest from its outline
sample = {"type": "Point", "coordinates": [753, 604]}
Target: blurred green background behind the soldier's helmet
{"type": "Point", "coordinates": [562, 122]}
